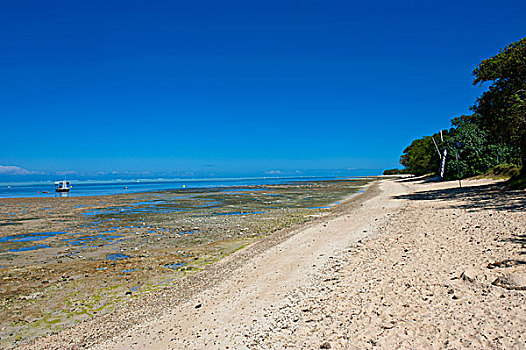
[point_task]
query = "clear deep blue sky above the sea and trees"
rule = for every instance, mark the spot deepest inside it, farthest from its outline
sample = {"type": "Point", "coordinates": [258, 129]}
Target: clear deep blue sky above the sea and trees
{"type": "Point", "coordinates": [244, 86]}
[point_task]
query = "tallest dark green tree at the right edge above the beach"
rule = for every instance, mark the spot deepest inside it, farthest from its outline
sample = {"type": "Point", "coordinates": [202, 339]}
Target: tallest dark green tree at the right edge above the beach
{"type": "Point", "coordinates": [502, 108]}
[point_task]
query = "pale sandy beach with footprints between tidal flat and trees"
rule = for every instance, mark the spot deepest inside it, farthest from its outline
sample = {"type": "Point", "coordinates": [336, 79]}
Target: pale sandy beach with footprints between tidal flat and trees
{"type": "Point", "coordinates": [405, 264]}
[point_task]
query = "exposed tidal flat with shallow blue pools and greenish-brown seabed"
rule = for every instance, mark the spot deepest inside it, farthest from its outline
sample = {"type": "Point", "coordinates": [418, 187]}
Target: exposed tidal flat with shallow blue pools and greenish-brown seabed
{"type": "Point", "coordinates": [65, 260]}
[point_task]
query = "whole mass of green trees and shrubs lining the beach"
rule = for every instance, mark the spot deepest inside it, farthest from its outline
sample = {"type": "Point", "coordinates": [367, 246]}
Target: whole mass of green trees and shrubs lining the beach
{"type": "Point", "coordinates": [494, 134]}
